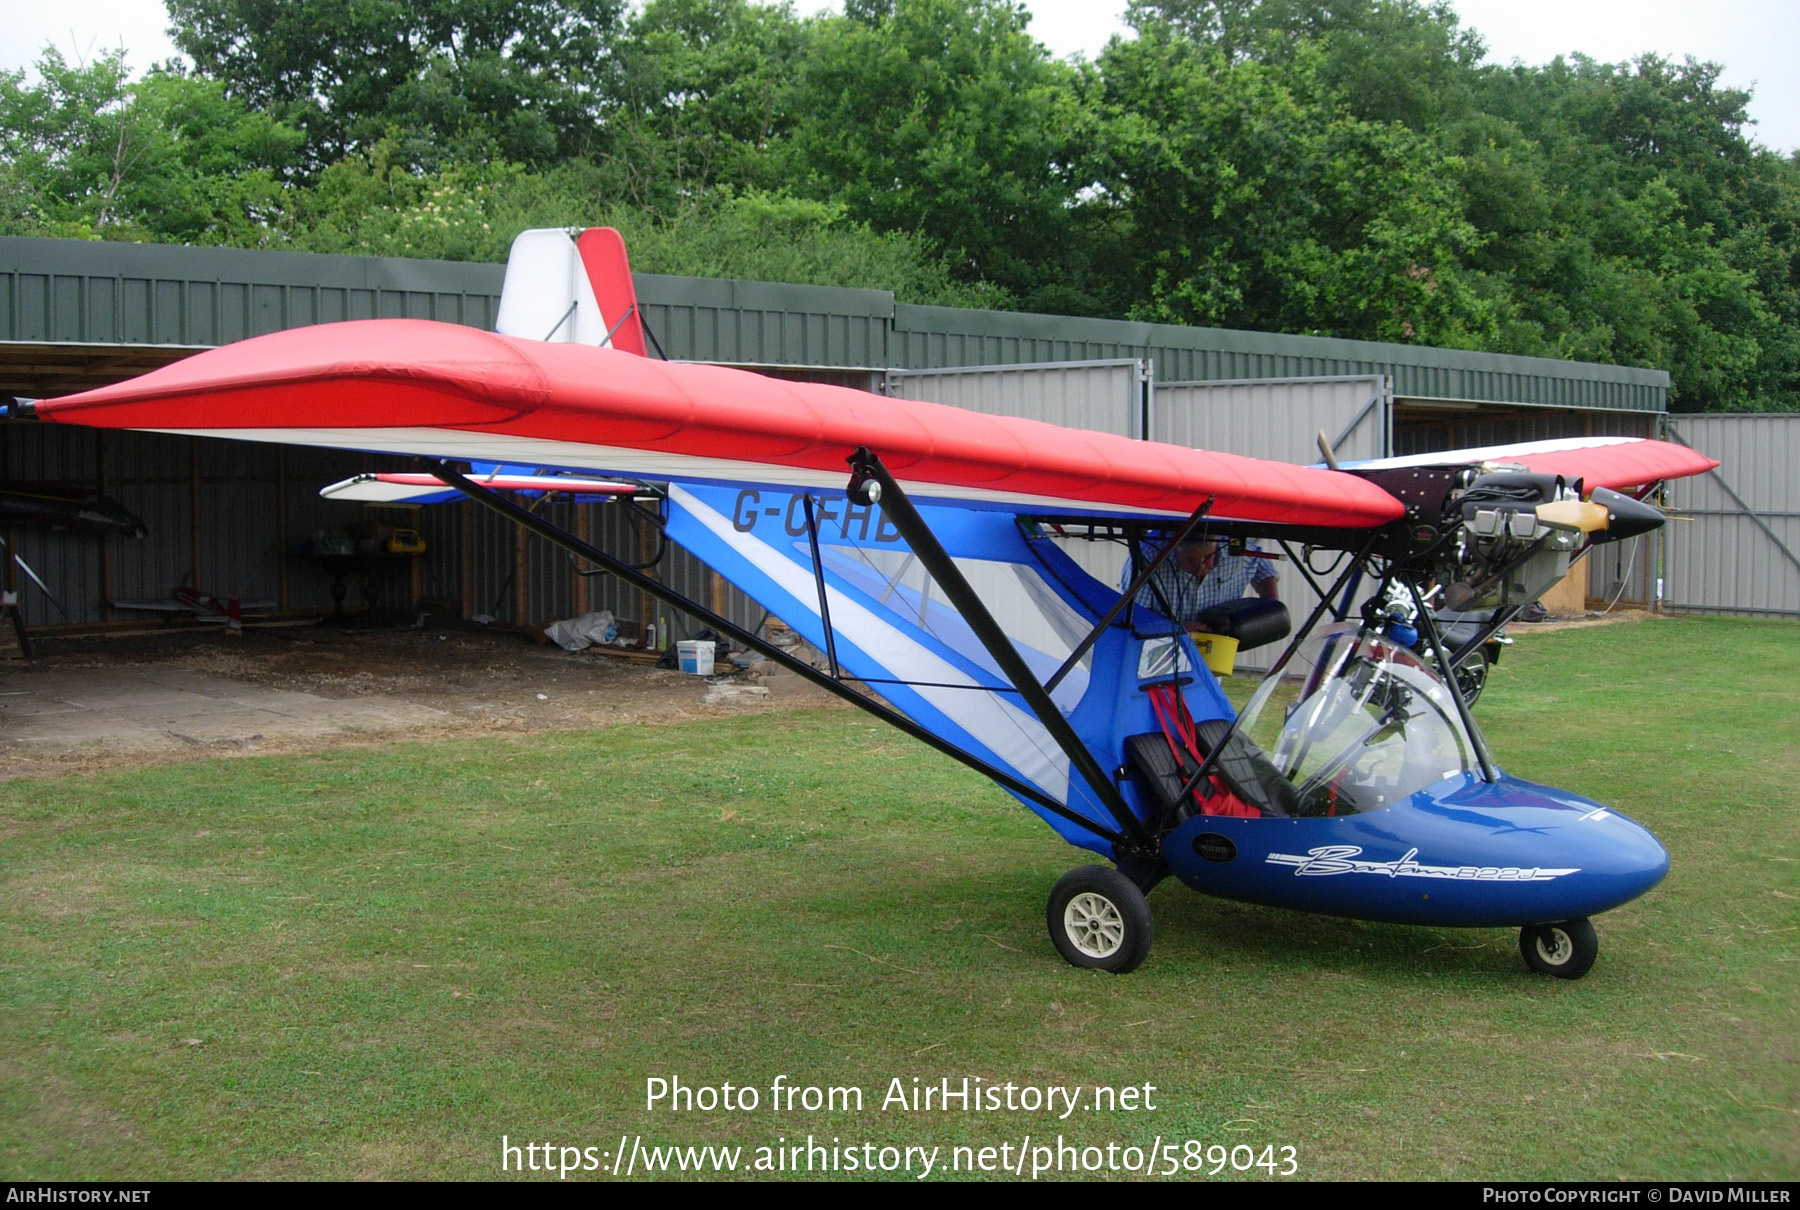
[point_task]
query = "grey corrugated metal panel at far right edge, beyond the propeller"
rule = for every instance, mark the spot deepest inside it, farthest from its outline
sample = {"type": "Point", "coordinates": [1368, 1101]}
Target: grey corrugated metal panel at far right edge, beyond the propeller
{"type": "Point", "coordinates": [1738, 555]}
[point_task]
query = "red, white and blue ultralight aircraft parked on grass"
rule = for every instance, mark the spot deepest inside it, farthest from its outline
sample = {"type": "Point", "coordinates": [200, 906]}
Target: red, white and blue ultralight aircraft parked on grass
{"type": "Point", "coordinates": [935, 559]}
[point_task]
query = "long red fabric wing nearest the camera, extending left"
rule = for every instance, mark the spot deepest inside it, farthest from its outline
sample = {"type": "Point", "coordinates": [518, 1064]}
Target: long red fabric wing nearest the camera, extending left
{"type": "Point", "coordinates": [402, 374]}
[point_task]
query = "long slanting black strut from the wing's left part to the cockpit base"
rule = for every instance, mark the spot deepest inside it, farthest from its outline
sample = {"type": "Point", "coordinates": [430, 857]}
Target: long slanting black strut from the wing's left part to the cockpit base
{"type": "Point", "coordinates": [755, 642]}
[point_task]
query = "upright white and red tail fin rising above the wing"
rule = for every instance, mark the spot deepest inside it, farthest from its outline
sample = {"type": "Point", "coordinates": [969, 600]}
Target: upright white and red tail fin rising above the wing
{"type": "Point", "coordinates": [571, 287]}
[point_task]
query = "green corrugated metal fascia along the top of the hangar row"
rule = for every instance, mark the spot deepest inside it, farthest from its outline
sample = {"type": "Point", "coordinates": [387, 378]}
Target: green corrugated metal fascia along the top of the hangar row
{"type": "Point", "coordinates": [116, 294]}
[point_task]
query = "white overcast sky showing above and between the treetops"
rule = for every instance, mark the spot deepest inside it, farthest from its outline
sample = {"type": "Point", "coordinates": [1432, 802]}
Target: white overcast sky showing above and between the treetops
{"type": "Point", "coordinates": [1756, 41]}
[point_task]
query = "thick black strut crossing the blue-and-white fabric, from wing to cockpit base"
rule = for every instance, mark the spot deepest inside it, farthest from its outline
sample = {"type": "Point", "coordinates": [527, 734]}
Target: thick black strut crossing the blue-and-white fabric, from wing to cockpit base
{"type": "Point", "coordinates": [868, 473]}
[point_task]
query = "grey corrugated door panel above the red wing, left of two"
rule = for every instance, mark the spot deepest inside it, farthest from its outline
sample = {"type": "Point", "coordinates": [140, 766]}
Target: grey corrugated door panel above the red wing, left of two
{"type": "Point", "coordinates": [1102, 397]}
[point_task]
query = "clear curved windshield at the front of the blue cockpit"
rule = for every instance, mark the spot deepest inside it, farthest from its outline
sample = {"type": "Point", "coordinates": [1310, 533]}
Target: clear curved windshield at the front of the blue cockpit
{"type": "Point", "coordinates": [1356, 725]}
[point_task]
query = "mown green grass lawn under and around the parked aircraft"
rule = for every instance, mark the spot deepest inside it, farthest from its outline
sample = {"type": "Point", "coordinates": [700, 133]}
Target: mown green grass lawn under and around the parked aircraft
{"type": "Point", "coordinates": [375, 964]}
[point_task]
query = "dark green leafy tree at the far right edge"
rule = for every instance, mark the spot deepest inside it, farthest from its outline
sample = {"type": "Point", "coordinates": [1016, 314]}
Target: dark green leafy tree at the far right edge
{"type": "Point", "coordinates": [1637, 224]}
